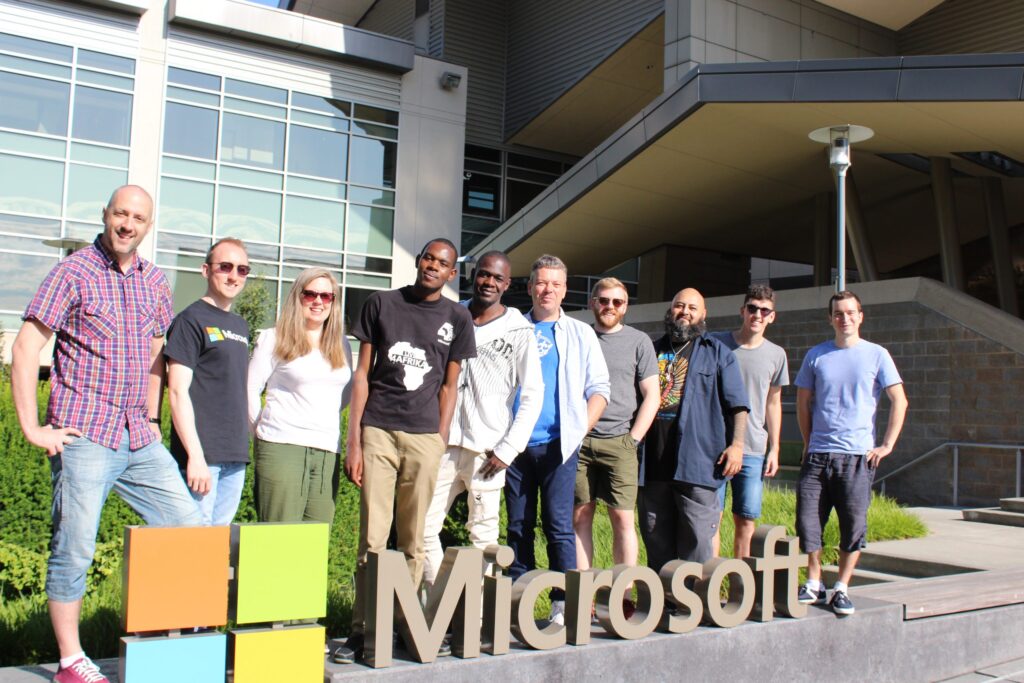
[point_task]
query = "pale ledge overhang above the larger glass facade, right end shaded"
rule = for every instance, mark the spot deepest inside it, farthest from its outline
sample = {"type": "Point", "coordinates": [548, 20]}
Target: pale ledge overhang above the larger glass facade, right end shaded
{"type": "Point", "coordinates": [302, 32]}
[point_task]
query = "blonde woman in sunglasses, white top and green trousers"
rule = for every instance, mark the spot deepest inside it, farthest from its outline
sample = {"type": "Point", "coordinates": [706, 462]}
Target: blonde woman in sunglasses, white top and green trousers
{"type": "Point", "coordinates": [305, 364]}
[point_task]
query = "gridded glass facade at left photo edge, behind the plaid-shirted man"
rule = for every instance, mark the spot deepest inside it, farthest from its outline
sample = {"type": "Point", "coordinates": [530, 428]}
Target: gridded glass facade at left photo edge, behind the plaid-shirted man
{"type": "Point", "coordinates": [65, 135]}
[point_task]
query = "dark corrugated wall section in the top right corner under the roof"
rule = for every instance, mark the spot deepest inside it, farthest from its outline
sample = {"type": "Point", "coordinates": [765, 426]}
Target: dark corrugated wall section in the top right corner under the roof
{"type": "Point", "coordinates": [959, 27]}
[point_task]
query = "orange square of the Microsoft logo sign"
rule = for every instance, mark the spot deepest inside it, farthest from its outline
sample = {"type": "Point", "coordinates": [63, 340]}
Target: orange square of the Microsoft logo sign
{"type": "Point", "coordinates": [176, 578]}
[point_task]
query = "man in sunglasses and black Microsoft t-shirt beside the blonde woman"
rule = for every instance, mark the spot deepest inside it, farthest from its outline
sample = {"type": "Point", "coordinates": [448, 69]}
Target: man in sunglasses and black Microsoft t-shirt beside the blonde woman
{"type": "Point", "coordinates": [207, 363]}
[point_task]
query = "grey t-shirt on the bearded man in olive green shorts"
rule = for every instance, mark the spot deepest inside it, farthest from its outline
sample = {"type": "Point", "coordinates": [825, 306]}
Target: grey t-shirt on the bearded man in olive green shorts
{"type": "Point", "coordinates": [631, 358]}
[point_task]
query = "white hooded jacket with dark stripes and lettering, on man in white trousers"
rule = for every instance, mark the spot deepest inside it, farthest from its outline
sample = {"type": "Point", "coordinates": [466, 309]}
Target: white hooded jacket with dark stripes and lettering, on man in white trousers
{"type": "Point", "coordinates": [506, 360]}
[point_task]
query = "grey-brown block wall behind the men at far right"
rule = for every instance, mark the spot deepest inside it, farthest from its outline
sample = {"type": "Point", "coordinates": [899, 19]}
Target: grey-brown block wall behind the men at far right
{"type": "Point", "coordinates": [962, 388]}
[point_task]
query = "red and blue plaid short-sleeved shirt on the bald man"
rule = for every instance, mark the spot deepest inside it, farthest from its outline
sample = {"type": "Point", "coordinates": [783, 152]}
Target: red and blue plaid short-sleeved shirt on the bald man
{"type": "Point", "coordinates": [105, 322]}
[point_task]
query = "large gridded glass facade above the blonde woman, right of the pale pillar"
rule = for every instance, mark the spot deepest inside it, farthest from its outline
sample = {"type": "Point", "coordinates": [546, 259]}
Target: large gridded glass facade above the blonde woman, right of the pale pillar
{"type": "Point", "coordinates": [304, 180]}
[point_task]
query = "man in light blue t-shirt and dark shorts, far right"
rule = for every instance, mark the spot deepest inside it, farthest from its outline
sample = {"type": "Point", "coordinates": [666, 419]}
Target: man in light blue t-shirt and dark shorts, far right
{"type": "Point", "coordinates": [838, 391]}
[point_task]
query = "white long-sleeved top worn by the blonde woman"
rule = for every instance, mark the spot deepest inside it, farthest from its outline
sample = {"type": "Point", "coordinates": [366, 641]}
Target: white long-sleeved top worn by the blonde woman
{"type": "Point", "coordinates": [305, 397]}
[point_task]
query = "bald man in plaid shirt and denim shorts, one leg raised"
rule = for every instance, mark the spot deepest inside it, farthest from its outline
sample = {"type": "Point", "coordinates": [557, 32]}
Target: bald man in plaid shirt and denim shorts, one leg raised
{"type": "Point", "coordinates": [110, 310]}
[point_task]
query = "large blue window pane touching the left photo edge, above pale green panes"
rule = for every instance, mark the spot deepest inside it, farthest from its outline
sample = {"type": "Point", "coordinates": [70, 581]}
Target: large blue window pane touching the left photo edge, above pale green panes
{"type": "Point", "coordinates": [34, 104]}
